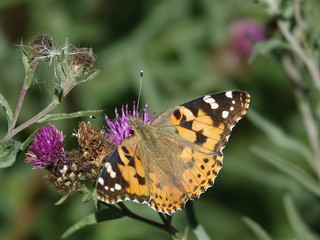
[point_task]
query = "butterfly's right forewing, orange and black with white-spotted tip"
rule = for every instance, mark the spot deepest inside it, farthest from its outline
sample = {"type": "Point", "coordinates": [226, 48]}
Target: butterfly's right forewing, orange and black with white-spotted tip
{"type": "Point", "coordinates": [208, 121]}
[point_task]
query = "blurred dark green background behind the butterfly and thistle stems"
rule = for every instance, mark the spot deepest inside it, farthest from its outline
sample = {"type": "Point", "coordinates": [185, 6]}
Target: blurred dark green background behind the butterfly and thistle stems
{"type": "Point", "coordinates": [186, 50]}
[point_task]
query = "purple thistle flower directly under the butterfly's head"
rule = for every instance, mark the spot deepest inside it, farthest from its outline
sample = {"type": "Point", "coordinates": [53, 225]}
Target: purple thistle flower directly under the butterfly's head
{"type": "Point", "coordinates": [119, 128]}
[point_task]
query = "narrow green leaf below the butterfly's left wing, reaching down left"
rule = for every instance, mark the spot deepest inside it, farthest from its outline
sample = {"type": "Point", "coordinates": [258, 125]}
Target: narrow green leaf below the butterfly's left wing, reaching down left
{"type": "Point", "coordinates": [101, 216]}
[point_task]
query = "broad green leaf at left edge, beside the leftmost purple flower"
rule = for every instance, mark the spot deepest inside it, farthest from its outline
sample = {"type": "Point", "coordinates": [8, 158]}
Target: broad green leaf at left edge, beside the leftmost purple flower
{"type": "Point", "coordinates": [8, 152]}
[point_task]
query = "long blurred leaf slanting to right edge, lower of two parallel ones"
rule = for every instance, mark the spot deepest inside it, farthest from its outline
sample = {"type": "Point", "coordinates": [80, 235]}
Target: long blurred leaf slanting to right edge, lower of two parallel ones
{"type": "Point", "coordinates": [290, 169]}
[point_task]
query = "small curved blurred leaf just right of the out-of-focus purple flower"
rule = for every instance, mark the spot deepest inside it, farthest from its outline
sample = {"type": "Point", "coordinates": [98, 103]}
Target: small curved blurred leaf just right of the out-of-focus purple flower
{"type": "Point", "coordinates": [264, 48]}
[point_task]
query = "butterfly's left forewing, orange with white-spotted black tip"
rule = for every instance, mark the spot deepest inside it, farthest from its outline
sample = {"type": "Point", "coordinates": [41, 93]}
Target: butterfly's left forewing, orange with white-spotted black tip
{"type": "Point", "coordinates": [123, 176]}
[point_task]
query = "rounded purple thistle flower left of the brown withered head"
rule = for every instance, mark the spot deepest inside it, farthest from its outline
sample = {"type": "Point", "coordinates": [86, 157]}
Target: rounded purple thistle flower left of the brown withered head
{"type": "Point", "coordinates": [47, 148]}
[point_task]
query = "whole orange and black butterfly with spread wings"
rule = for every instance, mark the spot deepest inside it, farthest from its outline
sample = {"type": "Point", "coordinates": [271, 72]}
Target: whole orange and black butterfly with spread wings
{"type": "Point", "coordinates": [174, 158]}
